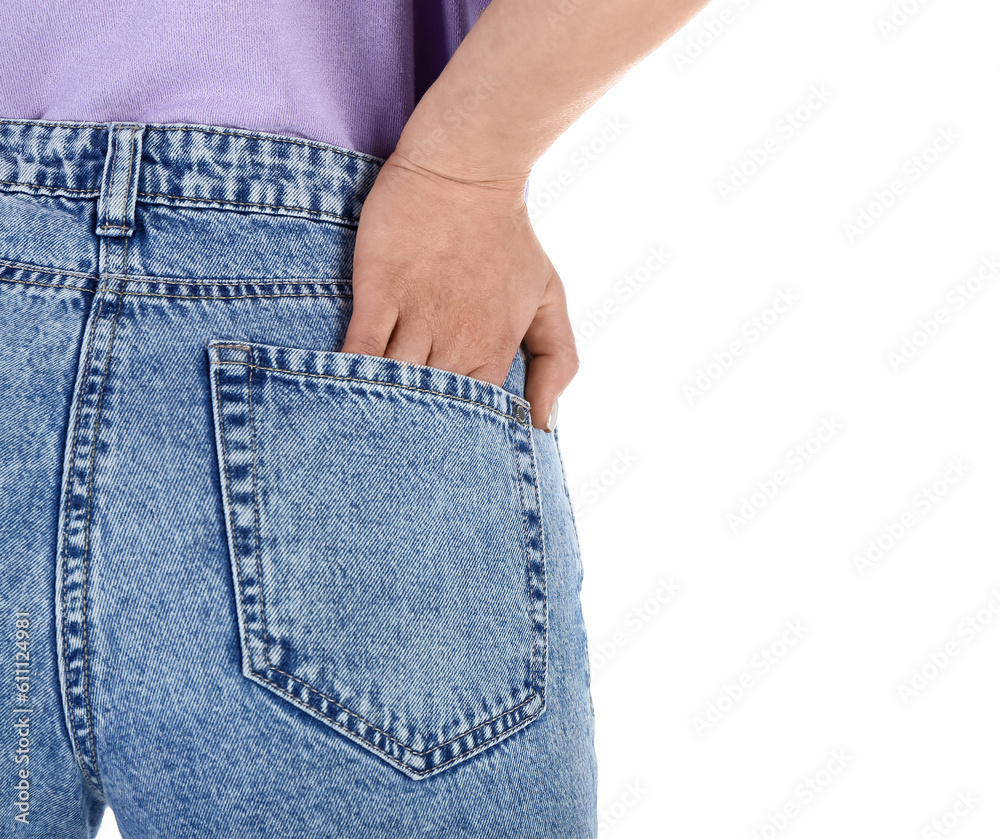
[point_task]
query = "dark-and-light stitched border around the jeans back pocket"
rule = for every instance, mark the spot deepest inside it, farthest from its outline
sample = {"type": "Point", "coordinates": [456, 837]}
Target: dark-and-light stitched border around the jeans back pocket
{"type": "Point", "coordinates": [419, 762]}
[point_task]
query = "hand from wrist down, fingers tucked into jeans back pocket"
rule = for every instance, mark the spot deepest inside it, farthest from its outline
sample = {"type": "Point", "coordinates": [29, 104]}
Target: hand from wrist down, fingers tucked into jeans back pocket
{"type": "Point", "coordinates": [448, 273]}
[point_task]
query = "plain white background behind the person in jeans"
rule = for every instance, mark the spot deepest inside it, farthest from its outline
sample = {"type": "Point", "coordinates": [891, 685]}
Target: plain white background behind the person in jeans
{"type": "Point", "coordinates": [698, 560]}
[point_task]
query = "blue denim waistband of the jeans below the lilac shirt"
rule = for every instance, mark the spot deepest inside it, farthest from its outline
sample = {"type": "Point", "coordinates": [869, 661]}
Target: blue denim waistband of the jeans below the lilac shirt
{"type": "Point", "coordinates": [180, 164]}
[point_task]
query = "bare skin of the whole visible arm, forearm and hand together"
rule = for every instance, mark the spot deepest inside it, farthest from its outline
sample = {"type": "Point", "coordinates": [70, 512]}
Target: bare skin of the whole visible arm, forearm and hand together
{"type": "Point", "coordinates": [447, 269]}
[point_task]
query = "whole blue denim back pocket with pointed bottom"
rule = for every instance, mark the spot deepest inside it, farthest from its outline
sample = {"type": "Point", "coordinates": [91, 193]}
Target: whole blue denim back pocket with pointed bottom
{"type": "Point", "coordinates": [384, 527]}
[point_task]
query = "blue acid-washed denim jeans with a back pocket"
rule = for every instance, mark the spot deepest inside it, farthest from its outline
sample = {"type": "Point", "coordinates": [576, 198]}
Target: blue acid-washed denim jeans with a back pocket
{"type": "Point", "coordinates": [252, 586]}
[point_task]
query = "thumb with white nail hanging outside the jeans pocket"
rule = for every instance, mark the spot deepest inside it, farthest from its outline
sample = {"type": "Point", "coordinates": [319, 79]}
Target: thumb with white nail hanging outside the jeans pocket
{"type": "Point", "coordinates": [554, 364]}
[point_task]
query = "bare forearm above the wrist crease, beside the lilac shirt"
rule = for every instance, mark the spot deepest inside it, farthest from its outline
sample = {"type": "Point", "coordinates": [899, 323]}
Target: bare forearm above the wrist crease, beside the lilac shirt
{"type": "Point", "coordinates": [525, 72]}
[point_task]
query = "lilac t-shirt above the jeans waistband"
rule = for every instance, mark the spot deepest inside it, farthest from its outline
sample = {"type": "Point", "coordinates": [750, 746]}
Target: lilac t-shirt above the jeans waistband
{"type": "Point", "coordinates": [347, 72]}
